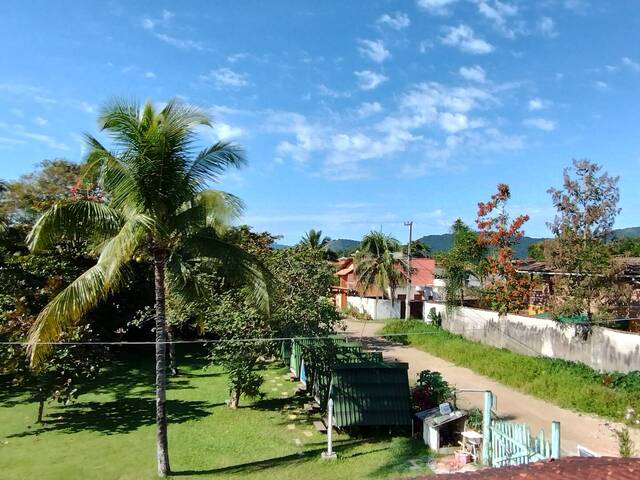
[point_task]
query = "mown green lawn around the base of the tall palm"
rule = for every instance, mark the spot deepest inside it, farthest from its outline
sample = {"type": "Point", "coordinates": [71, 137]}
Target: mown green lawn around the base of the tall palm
{"type": "Point", "coordinates": [109, 433]}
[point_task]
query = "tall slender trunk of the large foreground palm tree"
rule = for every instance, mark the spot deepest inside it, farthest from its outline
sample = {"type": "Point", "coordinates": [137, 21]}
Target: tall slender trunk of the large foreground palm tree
{"type": "Point", "coordinates": [161, 374]}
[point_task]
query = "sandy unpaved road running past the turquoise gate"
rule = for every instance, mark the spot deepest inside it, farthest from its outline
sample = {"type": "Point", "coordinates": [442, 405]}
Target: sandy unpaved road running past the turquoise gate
{"type": "Point", "coordinates": [595, 433]}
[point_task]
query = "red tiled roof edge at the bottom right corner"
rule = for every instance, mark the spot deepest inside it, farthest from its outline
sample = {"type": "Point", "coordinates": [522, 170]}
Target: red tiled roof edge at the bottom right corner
{"type": "Point", "coordinates": [567, 468]}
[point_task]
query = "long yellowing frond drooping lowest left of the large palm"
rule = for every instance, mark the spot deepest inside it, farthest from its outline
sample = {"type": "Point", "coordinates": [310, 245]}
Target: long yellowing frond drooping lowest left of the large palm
{"type": "Point", "coordinates": [89, 289]}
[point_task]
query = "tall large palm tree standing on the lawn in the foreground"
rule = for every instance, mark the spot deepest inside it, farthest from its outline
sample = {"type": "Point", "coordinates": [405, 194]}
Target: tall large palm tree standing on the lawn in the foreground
{"type": "Point", "coordinates": [154, 200]}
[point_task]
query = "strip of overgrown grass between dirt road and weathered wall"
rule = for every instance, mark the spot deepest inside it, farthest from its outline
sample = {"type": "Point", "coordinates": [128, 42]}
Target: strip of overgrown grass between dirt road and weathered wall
{"type": "Point", "coordinates": [567, 384]}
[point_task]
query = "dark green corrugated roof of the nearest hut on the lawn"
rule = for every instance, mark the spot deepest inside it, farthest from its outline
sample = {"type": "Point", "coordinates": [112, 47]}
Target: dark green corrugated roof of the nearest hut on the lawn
{"type": "Point", "coordinates": [371, 394]}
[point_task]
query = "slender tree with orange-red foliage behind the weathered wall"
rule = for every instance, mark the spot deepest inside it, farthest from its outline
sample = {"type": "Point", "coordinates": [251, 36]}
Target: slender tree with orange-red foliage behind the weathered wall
{"type": "Point", "coordinates": [507, 291]}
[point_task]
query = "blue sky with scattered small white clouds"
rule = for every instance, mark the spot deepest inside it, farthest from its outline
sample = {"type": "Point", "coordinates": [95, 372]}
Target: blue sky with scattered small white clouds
{"type": "Point", "coordinates": [354, 115]}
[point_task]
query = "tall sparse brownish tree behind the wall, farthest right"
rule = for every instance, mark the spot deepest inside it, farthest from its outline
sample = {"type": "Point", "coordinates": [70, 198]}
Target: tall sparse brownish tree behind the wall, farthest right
{"type": "Point", "coordinates": [587, 204]}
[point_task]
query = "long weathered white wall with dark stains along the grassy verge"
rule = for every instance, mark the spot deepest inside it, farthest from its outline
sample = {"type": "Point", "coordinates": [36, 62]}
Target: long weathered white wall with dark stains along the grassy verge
{"type": "Point", "coordinates": [602, 349]}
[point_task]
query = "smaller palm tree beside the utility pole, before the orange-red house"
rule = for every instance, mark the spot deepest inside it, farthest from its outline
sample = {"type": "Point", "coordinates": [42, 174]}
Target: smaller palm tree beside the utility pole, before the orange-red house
{"type": "Point", "coordinates": [379, 263]}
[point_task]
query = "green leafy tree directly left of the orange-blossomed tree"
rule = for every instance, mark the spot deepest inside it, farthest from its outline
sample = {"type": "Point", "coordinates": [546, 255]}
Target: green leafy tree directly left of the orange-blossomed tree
{"type": "Point", "coordinates": [466, 257]}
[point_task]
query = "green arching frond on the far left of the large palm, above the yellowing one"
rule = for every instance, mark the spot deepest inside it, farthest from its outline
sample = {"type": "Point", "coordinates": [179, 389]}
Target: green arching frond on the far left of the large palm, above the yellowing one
{"type": "Point", "coordinates": [73, 221]}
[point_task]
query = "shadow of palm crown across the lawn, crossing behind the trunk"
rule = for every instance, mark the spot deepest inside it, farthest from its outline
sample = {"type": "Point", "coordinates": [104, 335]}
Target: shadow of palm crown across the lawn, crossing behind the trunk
{"type": "Point", "coordinates": [119, 416]}
